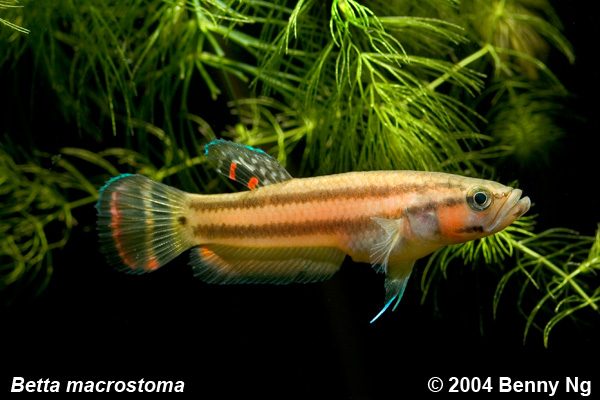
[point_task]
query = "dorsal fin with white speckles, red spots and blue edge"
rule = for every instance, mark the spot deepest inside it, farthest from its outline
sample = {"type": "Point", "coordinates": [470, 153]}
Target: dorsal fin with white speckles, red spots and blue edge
{"type": "Point", "coordinates": [251, 167]}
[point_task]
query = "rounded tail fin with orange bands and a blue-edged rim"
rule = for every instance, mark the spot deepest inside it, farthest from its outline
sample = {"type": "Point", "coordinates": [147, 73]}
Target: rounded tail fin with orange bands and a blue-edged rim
{"type": "Point", "coordinates": [141, 223]}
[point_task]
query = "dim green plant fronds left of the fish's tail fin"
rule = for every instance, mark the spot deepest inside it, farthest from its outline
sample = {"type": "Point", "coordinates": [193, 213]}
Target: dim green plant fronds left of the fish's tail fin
{"type": "Point", "coordinates": [36, 216]}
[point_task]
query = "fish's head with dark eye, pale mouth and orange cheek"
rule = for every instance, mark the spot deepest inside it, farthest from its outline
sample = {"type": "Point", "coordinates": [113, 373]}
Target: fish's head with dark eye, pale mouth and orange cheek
{"type": "Point", "coordinates": [486, 207]}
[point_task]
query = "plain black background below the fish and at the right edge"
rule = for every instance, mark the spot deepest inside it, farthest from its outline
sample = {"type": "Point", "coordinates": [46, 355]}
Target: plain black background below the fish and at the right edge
{"type": "Point", "coordinates": [315, 340]}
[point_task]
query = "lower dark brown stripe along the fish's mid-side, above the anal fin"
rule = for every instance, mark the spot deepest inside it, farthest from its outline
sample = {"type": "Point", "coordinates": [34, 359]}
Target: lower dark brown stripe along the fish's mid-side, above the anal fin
{"type": "Point", "coordinates": [284, 229]}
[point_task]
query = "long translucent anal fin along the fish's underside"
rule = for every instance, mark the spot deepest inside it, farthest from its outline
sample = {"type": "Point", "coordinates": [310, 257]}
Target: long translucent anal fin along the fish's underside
{"type": "Point", "coordinates": [229, 265]}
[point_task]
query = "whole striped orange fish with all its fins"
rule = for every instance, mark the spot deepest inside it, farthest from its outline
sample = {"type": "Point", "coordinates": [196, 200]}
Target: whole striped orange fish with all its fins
{"type": "Point", "coordinates": [284, 229]}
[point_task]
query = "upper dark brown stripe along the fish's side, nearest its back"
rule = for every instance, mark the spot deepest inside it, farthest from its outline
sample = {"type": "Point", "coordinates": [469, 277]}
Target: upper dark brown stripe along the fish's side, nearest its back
{"type": "Point", "coordinates": [359, 192]}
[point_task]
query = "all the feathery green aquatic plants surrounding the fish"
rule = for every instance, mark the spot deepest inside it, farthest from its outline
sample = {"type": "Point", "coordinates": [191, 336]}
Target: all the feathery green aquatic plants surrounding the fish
{"type": "Point", "coordinates": [326, 87]}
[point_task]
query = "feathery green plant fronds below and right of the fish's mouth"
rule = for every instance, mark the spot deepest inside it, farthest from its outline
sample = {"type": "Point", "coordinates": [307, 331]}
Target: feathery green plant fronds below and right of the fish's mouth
{"type": "Point", "coordinates": [558, 264]}
